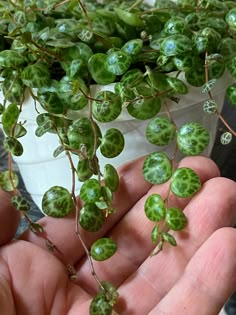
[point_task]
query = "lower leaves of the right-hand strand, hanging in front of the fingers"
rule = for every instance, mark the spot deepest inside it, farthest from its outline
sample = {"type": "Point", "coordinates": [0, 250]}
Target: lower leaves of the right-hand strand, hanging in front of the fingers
{"type": "Point", "coordinates": [183, 183]}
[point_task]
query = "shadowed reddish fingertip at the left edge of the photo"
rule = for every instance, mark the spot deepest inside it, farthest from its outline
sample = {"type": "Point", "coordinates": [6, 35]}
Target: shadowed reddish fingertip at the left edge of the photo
{"type": "Point", "coordinates": [9, 218]}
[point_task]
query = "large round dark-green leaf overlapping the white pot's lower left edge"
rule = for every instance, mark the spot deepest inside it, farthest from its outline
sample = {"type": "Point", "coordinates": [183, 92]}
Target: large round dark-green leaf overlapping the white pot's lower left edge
{"type": "Point", "coordinates": [57, 202]}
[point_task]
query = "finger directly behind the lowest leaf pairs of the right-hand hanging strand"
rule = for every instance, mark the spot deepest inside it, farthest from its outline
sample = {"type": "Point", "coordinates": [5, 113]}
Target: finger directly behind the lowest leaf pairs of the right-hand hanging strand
{"type": "Point", "coordinates": [133, 233]}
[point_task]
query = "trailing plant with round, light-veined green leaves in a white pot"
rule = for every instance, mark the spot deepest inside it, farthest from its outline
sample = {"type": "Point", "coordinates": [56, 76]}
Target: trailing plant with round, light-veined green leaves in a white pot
{"type": "Point", "coordinates": [83, 75]}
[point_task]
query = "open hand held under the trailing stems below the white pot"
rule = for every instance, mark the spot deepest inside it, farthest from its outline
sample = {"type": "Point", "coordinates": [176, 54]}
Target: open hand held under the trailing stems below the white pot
{"type": "Point", "coordinates": [195, 278]}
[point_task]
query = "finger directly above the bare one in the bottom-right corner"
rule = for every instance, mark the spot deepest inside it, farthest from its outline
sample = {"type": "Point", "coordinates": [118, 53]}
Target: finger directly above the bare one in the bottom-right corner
{"type": "Point", "coordinates": [207, 212]}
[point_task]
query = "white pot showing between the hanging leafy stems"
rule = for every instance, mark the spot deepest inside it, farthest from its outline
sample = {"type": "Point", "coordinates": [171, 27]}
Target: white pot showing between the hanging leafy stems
{"type": "Point", "coordinates": [40, 170]}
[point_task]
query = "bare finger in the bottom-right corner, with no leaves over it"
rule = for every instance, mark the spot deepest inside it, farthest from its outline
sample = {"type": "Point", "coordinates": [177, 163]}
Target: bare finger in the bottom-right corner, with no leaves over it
{"type": "Point", "coordinates": [208, 280]}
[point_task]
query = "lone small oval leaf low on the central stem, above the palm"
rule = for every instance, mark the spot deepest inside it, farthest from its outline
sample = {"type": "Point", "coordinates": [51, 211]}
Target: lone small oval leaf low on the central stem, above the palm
{"type": "Point", "coordinates": [103, 249]}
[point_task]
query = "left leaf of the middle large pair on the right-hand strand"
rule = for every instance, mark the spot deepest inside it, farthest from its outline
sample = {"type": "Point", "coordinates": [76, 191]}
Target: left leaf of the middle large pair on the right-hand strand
{"type": "Point", "coordinates": [157, 168]}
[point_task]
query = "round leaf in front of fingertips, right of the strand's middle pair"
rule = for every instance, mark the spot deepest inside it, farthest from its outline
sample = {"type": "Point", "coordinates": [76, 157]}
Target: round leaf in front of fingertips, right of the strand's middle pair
{"type": "Point", "coordinates": [185, 182]}
